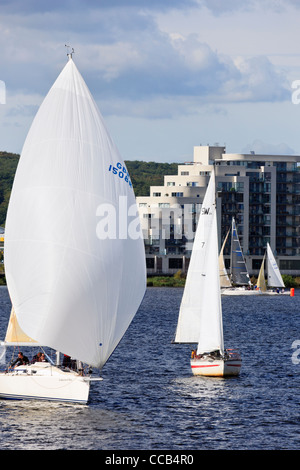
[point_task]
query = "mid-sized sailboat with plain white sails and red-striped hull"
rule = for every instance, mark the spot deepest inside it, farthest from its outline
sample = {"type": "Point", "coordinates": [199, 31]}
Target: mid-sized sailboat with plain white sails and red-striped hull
{"type": "Point", "coordinates": [200, 316]}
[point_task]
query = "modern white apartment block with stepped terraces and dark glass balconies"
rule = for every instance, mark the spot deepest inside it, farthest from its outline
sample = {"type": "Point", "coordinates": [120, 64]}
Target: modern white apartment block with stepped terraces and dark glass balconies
{"type": "Point", "coordinates": [262, 193]}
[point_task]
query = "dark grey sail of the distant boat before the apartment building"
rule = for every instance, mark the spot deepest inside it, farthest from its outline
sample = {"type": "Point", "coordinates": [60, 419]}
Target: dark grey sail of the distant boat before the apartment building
{"type": "Point", "coordinates": [238, 269]}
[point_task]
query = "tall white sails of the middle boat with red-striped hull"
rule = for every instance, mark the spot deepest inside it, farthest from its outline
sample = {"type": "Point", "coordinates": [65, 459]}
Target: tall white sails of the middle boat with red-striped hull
{"type": "Point", "coordinates": [200, 316]}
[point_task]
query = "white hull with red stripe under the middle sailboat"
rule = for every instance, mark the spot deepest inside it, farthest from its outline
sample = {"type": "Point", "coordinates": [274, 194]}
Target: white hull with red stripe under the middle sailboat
{"type": "Point", "coordinates": [213, 367]}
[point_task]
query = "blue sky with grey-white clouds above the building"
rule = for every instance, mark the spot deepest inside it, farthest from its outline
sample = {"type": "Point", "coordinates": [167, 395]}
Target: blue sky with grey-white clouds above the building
{"type": "Point", "coordinates": [167, 75]}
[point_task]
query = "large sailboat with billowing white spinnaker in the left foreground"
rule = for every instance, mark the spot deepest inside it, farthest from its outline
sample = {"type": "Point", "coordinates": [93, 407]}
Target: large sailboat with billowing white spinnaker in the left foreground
{"type": "Point", "coordinates": [73, 288]}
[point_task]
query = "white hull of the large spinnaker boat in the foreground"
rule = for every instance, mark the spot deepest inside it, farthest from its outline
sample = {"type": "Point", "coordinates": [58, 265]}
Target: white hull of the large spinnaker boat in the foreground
{"type": "Point", "coordinates": [42, 381]}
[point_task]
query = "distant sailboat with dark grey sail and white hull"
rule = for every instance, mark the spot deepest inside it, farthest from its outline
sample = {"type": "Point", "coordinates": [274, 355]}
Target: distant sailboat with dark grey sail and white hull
{"type": "Point", "coordinates": [240, 283]}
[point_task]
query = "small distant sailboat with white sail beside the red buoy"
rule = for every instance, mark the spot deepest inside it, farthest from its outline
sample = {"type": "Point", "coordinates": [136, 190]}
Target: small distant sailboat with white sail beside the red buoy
{"type": "Point", "coordinates": [274, 277]}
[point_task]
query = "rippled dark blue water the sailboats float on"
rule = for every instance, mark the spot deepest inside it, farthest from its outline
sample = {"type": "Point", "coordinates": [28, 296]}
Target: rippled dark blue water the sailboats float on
{"type": "Point", "coordinates": [149, 399]}
